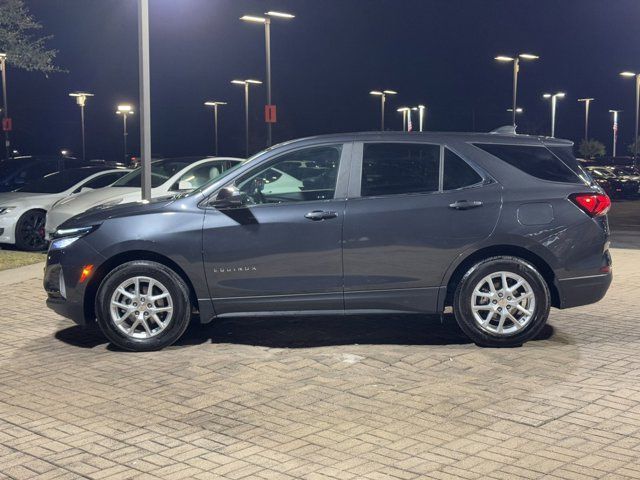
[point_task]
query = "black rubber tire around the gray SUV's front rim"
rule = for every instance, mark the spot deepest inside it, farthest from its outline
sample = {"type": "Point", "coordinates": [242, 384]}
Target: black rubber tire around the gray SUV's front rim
{"type": "Point", "coordinates": [179, 295]}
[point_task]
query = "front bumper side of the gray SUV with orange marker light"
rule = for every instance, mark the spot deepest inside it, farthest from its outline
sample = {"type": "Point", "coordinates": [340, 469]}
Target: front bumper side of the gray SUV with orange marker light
{"type": "Point", "coordinates": [63, 270]}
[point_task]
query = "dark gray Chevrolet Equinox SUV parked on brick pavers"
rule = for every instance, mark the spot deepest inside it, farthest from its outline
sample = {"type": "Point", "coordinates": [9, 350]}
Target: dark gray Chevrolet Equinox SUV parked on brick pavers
{"type": "Point", "coordinates": [499, 227]}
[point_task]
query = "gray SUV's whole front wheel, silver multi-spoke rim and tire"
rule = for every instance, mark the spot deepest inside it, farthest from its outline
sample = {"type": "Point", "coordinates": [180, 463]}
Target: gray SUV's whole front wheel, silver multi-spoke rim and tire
{"type": "Point", "coordinates": [142, 306]}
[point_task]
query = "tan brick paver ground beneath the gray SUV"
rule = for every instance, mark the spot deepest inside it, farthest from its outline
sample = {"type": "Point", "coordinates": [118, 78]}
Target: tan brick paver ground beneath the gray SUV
{"type": "Point", "coordinates": [346, 398]}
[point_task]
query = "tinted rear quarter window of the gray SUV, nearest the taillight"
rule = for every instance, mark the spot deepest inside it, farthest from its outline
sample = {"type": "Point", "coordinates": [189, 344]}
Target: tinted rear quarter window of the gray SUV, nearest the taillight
{"type": "Point", "coordinates": [536, 161]}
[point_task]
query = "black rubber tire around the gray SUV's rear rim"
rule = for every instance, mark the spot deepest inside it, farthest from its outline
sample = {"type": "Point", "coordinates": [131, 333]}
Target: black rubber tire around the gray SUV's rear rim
{"type": "Point", "coordinates": [464, 293]}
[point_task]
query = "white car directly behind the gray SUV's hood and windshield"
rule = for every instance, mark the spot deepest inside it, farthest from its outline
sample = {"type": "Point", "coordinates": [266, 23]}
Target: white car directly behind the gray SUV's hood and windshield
{"type": "Point", "coordinates": [168, 176]}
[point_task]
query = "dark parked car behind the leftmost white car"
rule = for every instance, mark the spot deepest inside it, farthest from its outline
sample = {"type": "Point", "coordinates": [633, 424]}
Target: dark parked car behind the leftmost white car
{"type": "Point", "coordinates": [18, 171]}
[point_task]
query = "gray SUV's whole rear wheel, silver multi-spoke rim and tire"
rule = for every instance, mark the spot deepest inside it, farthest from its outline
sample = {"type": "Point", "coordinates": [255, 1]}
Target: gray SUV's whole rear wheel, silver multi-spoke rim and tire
{"type": "Point", "coordinates": [502, 302]}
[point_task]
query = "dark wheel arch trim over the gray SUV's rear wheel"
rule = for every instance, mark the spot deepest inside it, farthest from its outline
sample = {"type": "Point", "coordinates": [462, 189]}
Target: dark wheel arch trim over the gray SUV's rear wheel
{"type": "Point", "coordinates": [503, 250]}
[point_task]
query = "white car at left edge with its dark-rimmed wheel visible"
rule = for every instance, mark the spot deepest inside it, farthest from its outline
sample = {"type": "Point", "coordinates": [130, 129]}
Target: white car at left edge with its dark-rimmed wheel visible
{"type": "Point", "coordinates": [22, 212]}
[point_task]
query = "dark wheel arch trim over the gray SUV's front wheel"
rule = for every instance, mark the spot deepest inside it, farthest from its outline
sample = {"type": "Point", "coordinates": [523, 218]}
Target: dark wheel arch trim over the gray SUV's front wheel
{"type": "Point", "coordinates": [124, 257]}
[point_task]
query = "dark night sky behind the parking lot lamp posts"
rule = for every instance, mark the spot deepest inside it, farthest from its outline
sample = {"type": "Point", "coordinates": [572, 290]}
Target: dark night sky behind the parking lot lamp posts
{"type": "Point", "coordinates": [325, 61]}
